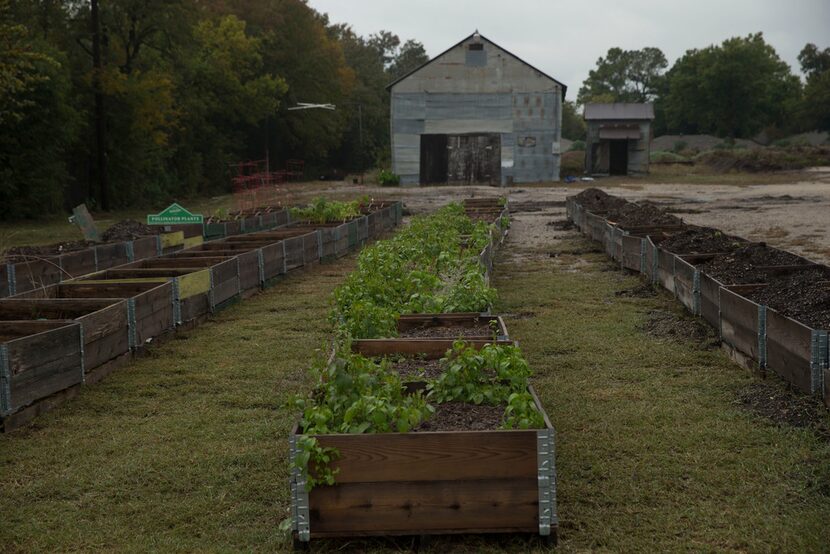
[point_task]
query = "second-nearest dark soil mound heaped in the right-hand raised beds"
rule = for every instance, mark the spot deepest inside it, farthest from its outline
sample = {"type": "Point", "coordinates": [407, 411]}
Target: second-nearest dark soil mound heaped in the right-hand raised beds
{"type": "Point", "coordinates": [741, 266]}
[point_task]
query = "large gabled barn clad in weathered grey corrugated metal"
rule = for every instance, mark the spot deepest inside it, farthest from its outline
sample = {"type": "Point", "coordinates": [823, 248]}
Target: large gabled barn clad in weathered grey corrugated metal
{"type": "Point", "coordinates": [476, 114]}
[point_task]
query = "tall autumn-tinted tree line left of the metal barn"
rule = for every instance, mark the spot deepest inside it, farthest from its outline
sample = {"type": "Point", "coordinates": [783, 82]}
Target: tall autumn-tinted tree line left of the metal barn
{"type": "Point", "coordinates": [122, 103]}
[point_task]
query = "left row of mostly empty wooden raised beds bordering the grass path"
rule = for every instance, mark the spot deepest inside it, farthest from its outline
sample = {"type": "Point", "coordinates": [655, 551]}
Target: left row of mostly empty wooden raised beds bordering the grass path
{"type": "Point", "coordinates": [55, 338]}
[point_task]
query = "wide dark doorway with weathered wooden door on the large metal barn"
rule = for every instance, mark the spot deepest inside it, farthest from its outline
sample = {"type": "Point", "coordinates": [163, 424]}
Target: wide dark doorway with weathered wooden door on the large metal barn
{"type": "Point", "coordinates": [461, 159]}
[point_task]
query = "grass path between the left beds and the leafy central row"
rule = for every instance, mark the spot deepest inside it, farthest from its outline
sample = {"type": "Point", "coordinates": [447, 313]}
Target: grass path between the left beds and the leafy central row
{"type": "Point", "coordinates": [185, 449]}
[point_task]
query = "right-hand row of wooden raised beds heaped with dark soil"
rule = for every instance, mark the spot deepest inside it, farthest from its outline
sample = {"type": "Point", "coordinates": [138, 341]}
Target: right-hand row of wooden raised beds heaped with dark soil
{"type": "Point", "coordinates": [771, 307]}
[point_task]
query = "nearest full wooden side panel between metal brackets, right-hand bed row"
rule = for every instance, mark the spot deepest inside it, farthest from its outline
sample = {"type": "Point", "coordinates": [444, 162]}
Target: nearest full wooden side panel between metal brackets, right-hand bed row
{"type": "Point", "coordinates": [789, 350]}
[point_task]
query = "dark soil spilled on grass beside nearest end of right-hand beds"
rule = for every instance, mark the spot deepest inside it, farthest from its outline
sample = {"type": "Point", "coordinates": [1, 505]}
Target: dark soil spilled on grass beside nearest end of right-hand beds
{"type": "Point", "coordinates": [782, 406]}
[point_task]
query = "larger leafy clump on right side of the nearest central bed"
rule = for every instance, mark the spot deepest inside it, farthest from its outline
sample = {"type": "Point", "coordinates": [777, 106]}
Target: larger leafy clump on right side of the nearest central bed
{"type": "Point", "coordinates": [486, 376]}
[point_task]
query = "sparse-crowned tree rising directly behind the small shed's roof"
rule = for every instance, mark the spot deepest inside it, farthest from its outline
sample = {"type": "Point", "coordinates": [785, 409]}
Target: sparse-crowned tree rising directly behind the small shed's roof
{"type": "Point", "coordinates": [625, 76]}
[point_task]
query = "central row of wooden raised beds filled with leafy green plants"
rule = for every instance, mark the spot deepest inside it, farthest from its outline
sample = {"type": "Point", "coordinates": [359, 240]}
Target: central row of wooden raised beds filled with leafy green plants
{"type": "Point", "coordinates": [423, 420]}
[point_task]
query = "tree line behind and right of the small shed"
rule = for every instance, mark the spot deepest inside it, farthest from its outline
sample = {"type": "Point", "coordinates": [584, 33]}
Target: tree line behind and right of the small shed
{"type": "Point", "coordinates": [736, 89]}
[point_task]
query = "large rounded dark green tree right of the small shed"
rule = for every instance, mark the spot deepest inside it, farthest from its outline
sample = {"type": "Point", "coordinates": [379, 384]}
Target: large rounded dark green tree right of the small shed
{"type": "Point", "coordinates": [732, 90]}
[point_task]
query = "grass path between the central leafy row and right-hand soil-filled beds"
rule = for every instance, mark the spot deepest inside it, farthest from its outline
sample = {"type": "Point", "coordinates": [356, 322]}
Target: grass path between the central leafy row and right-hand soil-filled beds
{"type": "Point", "coordinates": [653, 454]}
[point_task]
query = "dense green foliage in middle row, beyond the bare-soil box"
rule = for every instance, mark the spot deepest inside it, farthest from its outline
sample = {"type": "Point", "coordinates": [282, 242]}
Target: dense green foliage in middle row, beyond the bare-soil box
{"type": "Point", "coordinates": [422, 269]}
